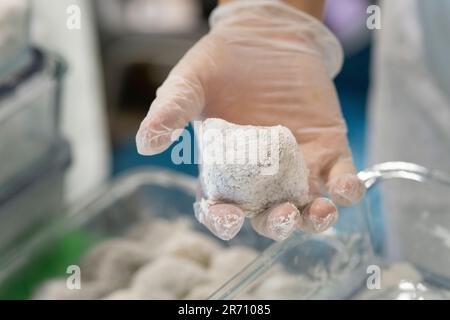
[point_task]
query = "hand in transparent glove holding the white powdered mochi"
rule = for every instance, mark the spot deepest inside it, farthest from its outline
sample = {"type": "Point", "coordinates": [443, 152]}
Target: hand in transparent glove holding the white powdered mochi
{"type": "Point", "coordinates": [263, 63]}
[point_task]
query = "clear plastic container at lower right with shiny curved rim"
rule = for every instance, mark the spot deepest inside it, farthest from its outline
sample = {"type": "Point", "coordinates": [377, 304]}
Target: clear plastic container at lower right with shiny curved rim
{"type": "Point", "coordinates": [412, 259]}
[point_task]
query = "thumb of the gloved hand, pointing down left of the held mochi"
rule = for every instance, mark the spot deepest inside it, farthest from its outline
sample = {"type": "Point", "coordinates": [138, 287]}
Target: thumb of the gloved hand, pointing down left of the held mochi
{"type": "Point", "coordinates": [178, 100]}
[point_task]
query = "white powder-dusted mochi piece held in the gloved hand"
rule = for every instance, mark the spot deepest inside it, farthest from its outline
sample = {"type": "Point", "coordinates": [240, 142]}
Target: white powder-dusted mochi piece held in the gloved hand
{"type": "Point", "coordinates": [254, 167]}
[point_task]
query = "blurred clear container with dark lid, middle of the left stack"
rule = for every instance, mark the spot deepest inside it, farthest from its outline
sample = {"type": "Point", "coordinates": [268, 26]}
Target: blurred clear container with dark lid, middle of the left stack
{"type": "Point", "coordinates": [29, 106]}
